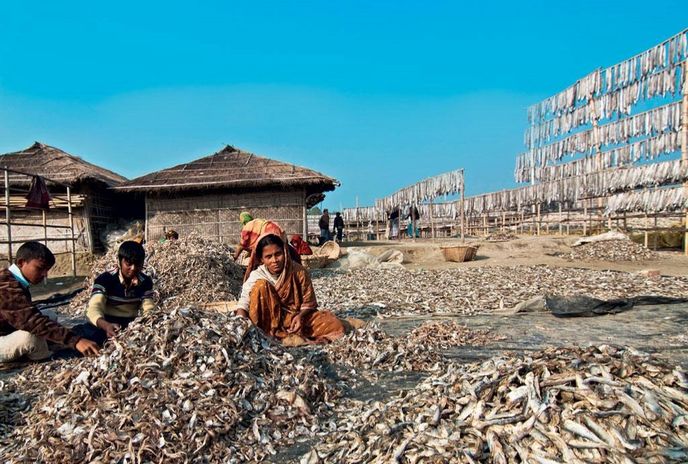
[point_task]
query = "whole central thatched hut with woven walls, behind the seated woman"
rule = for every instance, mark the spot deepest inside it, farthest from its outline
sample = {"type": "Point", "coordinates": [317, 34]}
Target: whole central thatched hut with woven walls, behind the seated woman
{"type": "Point", "coordinates": [205, 196]}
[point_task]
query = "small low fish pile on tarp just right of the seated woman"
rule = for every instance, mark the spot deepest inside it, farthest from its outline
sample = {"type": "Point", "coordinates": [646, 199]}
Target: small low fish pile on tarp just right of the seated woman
{"type": "Point", "coordinates": [421, 350]}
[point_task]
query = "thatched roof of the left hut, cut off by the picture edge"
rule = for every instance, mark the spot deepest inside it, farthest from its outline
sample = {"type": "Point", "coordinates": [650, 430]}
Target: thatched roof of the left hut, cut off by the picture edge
{"type": "Point", "coordinates": [53, 163]}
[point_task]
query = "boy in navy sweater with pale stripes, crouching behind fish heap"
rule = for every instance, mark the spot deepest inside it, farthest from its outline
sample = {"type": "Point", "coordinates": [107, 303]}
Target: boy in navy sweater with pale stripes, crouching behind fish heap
{"type": "Point", "coordinates": [119, 296]}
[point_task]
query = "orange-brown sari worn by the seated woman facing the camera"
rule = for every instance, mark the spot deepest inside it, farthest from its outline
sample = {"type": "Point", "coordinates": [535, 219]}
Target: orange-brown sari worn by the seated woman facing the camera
{"type": "Point", "coordinates": [272, 308]}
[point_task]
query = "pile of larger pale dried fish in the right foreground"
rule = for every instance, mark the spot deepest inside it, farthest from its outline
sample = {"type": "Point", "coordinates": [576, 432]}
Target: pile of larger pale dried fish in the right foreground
{"type": "Point", "coordinates": [574, 405]}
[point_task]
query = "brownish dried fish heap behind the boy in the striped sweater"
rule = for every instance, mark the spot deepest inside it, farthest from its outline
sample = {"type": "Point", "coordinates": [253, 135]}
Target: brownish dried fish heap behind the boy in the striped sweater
{"type": "Point", "coordinates": [189, 270]}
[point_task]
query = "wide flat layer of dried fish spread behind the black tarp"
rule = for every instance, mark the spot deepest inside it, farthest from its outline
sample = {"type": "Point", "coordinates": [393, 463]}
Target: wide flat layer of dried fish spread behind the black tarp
{"type": "Point", "coordinates": [387, 292]}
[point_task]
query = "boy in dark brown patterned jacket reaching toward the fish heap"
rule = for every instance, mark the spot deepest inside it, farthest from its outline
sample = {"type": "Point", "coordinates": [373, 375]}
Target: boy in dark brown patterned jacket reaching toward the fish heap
{"type": "Point", "coordinates": [23, 329]}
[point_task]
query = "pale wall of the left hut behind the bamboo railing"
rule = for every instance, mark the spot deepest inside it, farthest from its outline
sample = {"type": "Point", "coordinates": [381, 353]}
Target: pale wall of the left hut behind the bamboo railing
{"type": "Point", "coordinates": [60, 217]}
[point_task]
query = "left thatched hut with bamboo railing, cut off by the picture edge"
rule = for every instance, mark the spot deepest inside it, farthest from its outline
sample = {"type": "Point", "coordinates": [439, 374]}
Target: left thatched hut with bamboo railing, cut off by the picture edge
{"type": "Point", "coordinates": [93, 204]}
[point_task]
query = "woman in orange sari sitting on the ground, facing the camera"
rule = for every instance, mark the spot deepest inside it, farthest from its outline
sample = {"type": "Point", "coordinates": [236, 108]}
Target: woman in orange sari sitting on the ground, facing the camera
{"type": "Point", "coordinates": [278, 296]}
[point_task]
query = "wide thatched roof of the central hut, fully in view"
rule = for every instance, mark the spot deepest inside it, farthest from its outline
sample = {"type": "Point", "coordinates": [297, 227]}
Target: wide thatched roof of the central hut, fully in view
{"type": "Point", "coordinates": [232, 169]}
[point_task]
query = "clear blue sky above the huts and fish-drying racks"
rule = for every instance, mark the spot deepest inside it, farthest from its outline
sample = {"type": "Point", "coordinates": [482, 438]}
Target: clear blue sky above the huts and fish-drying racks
{"type": "Point", "coordinates": [377, 94]}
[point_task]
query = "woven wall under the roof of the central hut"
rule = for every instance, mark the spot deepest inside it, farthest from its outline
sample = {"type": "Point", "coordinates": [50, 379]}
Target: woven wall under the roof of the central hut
{"type": "Point", "coordinates": [216, 216]}
